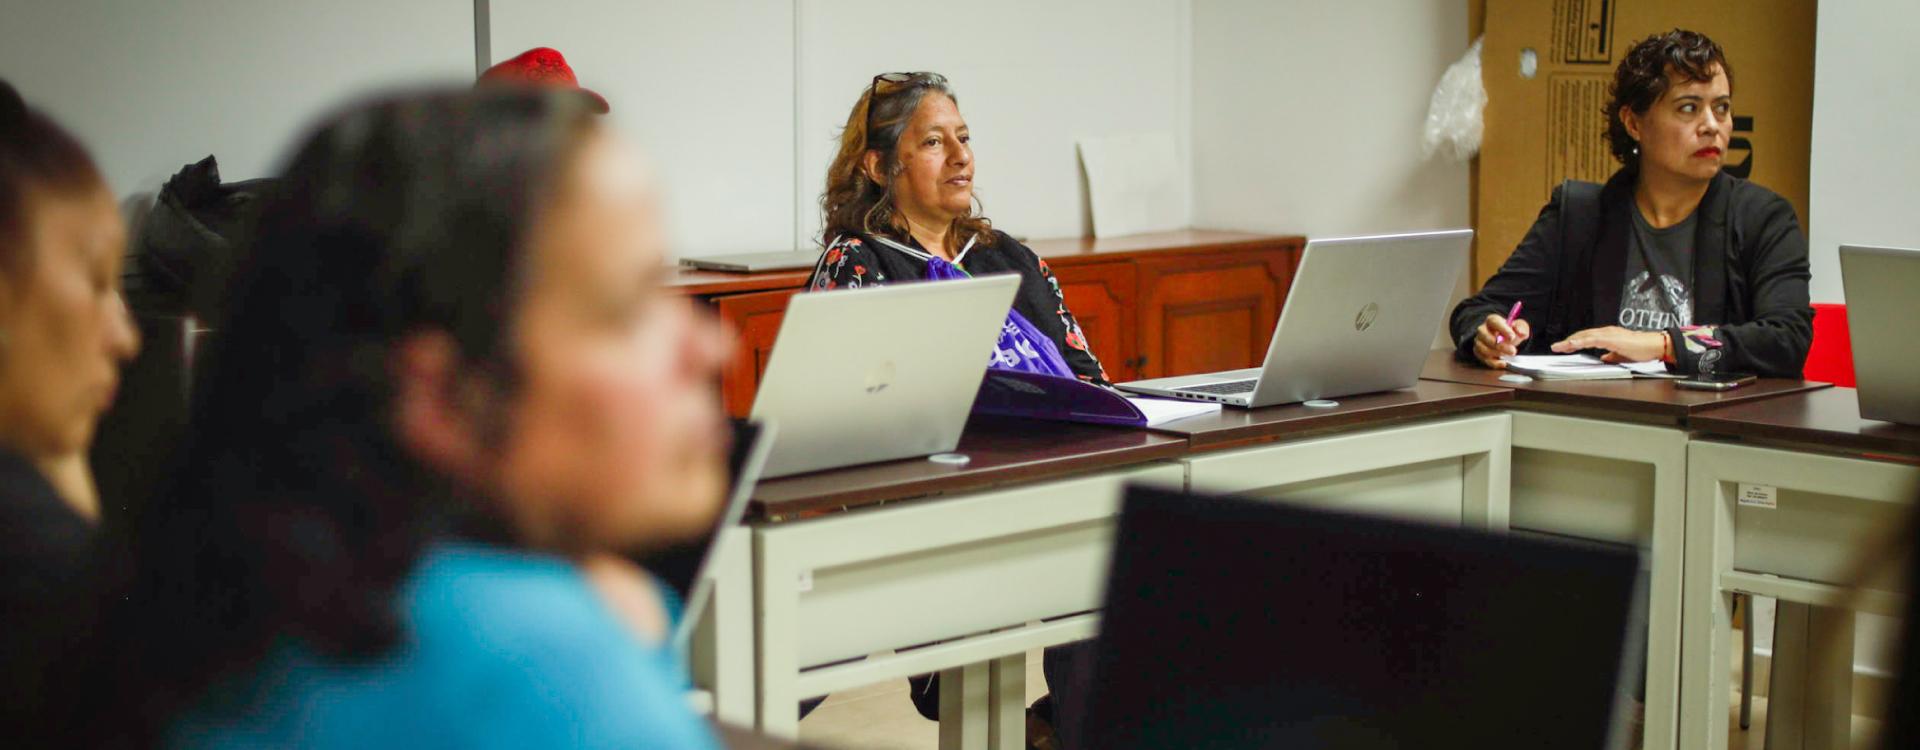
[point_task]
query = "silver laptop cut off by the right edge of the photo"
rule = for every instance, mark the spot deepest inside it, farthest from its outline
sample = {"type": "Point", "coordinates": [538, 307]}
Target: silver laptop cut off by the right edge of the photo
{"type": "Point", "coordinates": [1881, 317]}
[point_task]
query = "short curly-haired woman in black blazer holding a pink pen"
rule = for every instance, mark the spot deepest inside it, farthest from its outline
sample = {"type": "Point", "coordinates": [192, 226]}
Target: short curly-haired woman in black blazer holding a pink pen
{"type": "Point", "coordinates": [1673, 260]}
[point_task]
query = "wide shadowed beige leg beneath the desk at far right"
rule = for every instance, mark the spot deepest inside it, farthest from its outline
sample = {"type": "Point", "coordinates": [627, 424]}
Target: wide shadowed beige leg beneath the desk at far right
{"type": "Point", "coordinates": [1813, 680]}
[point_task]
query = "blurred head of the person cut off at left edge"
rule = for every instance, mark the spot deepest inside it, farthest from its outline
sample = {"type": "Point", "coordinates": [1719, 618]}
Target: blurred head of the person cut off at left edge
{"type": "Point", "coordinates": [64, 325]}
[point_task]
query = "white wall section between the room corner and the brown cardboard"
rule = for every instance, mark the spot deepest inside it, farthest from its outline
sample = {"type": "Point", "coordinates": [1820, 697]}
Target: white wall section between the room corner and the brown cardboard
{"type": "Point", "coordinates": [1308, 116]}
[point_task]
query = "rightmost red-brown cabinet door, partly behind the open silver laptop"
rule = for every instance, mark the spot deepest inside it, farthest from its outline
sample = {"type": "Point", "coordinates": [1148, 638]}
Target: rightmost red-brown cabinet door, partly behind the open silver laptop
{"type": "Point", "coordinates": [1211, 312]}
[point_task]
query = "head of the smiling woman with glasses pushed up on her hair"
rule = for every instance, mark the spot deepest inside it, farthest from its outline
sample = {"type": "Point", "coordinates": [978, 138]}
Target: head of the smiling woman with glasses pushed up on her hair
{"type": "Point", "coordinates": [905, 160]}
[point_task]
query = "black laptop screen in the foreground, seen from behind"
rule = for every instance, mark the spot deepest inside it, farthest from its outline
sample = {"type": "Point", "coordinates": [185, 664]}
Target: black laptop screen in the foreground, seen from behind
{"type": "Point", "coordinates": [1253, 624]}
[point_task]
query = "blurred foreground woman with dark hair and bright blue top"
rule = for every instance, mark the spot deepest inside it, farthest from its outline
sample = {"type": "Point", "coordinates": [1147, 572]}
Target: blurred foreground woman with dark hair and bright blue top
{"type": "Point", "coordinates": [444, 400]}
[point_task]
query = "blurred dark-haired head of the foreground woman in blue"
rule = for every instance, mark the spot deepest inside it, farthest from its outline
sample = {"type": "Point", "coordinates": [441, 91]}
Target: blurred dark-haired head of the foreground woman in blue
{"type": "Point", "coordinates": [448, 325]}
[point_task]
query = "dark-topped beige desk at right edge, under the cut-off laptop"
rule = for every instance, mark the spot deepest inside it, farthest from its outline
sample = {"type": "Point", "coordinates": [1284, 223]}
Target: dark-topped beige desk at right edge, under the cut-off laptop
{"type": "Point", "coordinates": [1829, 486]}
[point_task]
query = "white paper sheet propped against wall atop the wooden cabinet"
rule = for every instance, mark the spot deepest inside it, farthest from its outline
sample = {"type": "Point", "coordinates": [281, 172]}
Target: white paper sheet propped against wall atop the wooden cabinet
{"type": "Point", "coordinates": [1132, 183]}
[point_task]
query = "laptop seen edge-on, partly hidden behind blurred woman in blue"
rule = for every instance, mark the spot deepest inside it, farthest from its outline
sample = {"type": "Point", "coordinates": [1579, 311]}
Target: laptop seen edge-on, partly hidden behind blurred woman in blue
{"type": "Point", "coordinates": [688, 567]}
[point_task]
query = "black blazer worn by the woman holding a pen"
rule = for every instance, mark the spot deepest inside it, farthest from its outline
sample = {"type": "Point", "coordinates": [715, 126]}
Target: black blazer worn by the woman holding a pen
{"type": "Point", "coordinates": [1750, 277]}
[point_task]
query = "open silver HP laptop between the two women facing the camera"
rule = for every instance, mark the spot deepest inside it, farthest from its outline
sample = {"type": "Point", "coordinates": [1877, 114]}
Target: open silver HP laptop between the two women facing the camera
{"type": "Point", "coordinates": [1358, 319]}
